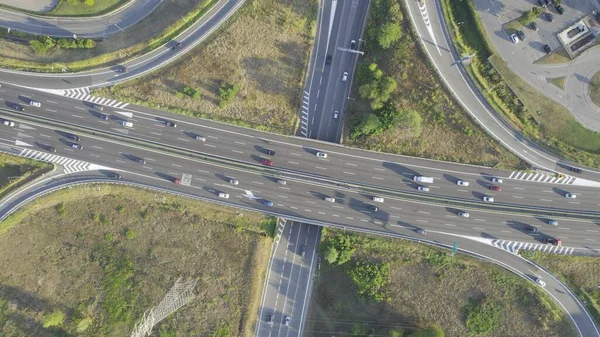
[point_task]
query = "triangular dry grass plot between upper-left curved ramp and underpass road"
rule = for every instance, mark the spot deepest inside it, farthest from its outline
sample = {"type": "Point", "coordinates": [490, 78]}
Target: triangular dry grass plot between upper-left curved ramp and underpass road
{"type": "Point", "coordinates": [249, 73]}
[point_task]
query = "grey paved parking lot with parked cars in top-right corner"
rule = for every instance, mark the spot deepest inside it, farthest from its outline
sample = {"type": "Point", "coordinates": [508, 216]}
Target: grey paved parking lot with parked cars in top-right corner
{"type": "Point", "coordinates": [496, 14]}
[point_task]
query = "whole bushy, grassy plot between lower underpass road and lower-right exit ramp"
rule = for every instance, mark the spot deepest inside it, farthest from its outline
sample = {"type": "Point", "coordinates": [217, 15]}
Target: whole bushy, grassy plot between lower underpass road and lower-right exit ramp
{"type": "Point", "coordinates": [375, 286]}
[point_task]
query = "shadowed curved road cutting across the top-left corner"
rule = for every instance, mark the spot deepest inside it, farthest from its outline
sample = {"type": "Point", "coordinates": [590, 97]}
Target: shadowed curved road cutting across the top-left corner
{"type": "Point", "coordinates": [97, 27]}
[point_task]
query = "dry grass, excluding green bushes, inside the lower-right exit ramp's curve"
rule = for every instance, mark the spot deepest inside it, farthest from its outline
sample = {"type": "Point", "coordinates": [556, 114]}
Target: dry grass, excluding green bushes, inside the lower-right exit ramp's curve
{"type": "Point", "coordinates": [423, 293]}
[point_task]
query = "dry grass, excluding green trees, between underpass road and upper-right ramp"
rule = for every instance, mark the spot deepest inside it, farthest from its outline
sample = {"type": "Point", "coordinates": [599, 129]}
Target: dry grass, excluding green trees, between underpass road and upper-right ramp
{"type": "Point", "coordinates": [447, 131]}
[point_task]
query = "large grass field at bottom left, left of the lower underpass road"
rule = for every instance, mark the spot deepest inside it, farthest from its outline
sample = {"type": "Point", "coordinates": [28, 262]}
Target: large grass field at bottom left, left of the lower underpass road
{"type": "Point", "coordinates": [91, 266]}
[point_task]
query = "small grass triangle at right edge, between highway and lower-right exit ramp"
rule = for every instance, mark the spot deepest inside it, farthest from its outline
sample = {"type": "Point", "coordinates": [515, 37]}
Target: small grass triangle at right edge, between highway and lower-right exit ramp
{"type": "Point", "coordinates": [581, 274]}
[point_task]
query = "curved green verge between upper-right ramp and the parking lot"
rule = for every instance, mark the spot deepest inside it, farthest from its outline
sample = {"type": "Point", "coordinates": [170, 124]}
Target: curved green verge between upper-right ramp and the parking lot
{"type": "Point", "coordinates": [547, 123]}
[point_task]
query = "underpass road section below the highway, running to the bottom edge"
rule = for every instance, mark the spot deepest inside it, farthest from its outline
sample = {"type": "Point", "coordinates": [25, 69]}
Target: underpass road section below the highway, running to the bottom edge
{"type": "Point", "coordinates": [289, 280]}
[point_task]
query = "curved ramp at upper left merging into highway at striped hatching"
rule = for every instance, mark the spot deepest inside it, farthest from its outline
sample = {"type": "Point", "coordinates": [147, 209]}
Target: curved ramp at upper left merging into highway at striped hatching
{"type": "Point", "coordinates": [57, 83]}
